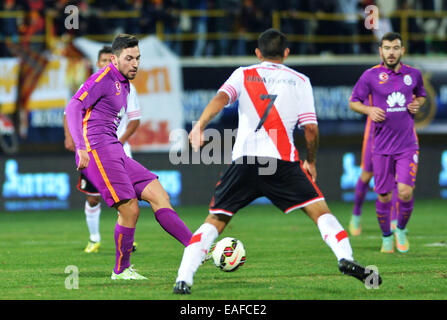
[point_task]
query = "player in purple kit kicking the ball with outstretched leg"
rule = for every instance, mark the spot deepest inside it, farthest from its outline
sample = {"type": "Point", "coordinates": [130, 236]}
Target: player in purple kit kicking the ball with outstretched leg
{"type": "Point", "coordinates": [93, 115]}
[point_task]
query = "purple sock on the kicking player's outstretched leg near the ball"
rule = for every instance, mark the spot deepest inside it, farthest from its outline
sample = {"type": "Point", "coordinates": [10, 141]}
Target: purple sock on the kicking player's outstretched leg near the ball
{"type": "Point", "coordinates": [170, 221]}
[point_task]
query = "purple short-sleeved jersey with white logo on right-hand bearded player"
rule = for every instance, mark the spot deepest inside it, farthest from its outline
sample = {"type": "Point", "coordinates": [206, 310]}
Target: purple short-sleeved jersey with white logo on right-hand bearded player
{"type": "Point", "coordinates": [391, 92]}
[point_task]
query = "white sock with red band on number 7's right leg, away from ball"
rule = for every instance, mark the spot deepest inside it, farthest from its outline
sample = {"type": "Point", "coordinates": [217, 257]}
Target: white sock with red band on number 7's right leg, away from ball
{"type": "Point", "coordinates": [335, 236]}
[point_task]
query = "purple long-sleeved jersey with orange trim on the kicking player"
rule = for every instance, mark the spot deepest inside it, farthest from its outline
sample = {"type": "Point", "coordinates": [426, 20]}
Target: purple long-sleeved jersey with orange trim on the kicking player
{"type": "Point", "coordinates": [103, 100]}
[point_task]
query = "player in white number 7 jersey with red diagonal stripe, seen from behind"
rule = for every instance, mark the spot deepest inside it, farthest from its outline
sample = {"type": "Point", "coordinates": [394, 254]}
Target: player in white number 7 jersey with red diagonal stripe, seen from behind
{"type": "Point", "coordinates": [273, 99]}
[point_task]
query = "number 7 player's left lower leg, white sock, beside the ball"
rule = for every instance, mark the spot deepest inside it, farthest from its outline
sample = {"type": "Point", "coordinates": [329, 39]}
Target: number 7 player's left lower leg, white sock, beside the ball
{"type": "Point", "coordinates": [197, 249]}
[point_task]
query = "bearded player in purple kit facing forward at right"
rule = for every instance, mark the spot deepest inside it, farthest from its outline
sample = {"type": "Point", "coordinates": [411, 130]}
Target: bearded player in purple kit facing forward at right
{"type": "Point", "coordinates": [397, 94]}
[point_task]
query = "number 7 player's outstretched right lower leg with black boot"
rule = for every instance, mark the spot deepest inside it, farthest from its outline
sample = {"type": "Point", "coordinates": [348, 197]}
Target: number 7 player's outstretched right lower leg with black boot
{"type": "Point", "coordinates": [337, 239]}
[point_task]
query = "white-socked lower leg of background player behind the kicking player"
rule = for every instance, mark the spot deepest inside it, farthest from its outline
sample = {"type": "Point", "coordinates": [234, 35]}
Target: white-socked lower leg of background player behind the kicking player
{"type": "Point", "coordinates": [92, 211]}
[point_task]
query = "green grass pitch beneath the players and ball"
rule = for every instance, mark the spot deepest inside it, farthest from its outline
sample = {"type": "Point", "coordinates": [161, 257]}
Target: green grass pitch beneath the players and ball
{"type": "Point", "coordinates": [286, 257]}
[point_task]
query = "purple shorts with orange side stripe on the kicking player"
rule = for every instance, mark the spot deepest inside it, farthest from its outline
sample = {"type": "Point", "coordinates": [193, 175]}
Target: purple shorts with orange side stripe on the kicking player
{"type": "Point", "coordinates": [116, 176]}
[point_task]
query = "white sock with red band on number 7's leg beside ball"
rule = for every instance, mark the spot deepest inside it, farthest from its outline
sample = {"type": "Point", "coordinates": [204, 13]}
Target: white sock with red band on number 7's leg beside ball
{"type": "Point", "coordinates": [195, 252]}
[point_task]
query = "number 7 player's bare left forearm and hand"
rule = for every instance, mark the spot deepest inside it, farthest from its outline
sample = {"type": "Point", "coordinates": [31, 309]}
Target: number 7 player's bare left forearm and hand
{"type": "Point", "coordinates": [215, 106]}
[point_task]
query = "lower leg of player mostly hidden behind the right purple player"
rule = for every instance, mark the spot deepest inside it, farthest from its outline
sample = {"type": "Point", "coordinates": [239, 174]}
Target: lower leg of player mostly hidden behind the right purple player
{"type": "Point", "coordinates": [361, 190]}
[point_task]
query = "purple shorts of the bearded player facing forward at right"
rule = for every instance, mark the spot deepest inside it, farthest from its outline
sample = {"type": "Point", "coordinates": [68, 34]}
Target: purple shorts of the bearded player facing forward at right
{"type": "Point", "coordinates": [389, 169]}
